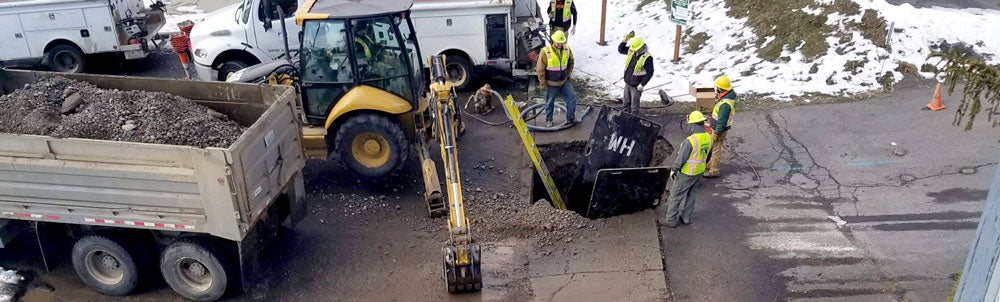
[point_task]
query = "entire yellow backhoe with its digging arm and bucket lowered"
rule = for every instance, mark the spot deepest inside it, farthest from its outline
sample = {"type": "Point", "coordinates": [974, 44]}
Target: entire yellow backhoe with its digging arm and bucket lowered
{"type": "Point", "coordinates": [364, 104]}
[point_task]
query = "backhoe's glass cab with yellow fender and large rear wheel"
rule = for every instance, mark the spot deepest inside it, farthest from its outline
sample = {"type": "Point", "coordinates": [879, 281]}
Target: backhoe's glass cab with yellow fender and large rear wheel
{"type": "Point", "coordinates": [362, 84]}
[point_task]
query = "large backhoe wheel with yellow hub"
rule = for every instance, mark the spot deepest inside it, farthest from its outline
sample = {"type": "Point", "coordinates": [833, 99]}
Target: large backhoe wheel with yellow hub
{"type": "Point", "coordinates": [371, 145]}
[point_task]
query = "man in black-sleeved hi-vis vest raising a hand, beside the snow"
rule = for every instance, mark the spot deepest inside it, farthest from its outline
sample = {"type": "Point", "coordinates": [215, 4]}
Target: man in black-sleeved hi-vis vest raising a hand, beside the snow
{"type": "Point", "coordinates": [638, 70]}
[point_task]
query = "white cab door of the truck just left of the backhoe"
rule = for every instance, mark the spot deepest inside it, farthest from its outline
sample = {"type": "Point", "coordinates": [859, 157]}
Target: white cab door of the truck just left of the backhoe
{"type": "Point", "coordinates": [271, 41]}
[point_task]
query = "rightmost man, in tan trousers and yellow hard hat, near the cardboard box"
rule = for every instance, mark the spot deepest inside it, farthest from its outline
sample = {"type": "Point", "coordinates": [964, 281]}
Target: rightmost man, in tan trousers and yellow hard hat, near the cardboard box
{"type": "Point", "coordinates": [722, 115]}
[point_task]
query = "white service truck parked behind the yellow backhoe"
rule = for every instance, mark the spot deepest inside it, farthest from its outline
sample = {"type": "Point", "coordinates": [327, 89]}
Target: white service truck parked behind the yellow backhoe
{"type": "Point", "coordinates": [480, 37]}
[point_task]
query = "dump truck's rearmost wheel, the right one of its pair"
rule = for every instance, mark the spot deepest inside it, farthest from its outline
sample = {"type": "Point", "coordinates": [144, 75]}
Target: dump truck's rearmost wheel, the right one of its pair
{"type": "Point", "coordinates": [195, 270]}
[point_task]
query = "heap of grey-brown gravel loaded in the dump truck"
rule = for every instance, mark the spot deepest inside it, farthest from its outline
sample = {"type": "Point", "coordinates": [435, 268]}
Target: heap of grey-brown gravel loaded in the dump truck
{"type": "Point", "coordinates": [65, 108]}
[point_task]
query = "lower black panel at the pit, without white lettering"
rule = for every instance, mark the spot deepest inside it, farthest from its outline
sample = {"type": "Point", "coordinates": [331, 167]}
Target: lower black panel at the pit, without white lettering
{"type": "Point", "coordinates": [627, 190]}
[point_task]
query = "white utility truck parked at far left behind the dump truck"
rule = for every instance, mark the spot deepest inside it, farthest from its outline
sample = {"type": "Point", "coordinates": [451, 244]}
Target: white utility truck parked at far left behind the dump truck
{"type": "Point", "coordinates": [60, 33]}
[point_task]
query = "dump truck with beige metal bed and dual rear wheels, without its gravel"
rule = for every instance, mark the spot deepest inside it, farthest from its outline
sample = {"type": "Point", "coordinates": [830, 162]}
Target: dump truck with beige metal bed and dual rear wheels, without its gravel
{"type": "Point", "coordinates": [199, 216]}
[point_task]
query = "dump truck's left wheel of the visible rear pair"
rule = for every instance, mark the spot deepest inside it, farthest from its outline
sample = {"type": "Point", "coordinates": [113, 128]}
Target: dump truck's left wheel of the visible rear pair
{"type": "Point", "coordinates": [104, 265]}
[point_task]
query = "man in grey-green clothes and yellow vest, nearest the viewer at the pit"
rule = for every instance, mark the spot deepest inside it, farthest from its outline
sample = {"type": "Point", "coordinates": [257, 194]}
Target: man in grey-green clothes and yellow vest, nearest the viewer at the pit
{"type": "Point", "coordinates": [687, 171]}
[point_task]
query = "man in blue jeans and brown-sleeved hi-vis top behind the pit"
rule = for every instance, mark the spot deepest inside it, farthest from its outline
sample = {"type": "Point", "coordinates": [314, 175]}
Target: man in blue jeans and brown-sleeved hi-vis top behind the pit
{"type": "Point", "coordinates": [555, 64]}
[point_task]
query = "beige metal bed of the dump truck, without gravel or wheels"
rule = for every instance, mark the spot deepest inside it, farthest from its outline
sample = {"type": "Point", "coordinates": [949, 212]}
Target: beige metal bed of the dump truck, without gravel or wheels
{"type": "Point", "coordinates": [218, 191]}
